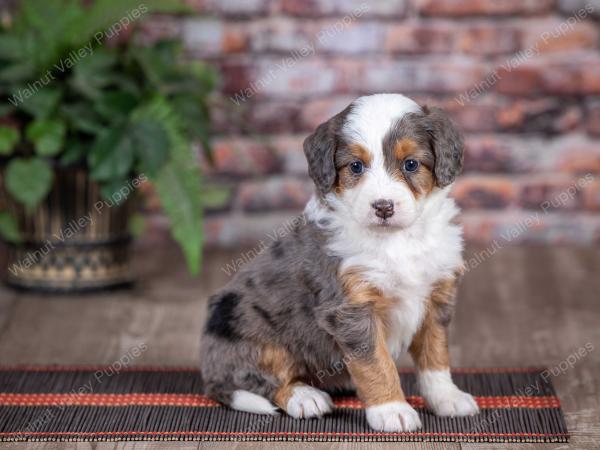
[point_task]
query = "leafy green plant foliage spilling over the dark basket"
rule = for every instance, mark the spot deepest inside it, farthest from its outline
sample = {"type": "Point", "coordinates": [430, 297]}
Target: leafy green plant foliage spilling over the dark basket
{"type": "Point", "coordinates": [72, 97]}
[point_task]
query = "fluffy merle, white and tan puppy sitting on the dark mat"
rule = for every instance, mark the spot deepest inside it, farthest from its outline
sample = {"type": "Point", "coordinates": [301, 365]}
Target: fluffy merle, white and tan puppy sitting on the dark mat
{"type": "Point", "coordinates": [369, 273]}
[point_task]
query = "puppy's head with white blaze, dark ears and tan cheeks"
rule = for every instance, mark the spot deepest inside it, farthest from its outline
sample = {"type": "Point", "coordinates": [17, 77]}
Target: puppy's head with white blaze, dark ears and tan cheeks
{"type": "Point", "coordinates": [382, 157]}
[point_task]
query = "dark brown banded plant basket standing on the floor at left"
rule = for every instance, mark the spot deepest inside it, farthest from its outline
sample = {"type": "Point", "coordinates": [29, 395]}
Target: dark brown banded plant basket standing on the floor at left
{"type": "Point", "coordinates": [74, 241]}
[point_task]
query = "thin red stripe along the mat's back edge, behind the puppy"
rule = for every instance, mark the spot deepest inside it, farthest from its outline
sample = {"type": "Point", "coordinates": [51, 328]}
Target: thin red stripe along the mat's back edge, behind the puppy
{"type": "Point", "coordinates": [94, 368]}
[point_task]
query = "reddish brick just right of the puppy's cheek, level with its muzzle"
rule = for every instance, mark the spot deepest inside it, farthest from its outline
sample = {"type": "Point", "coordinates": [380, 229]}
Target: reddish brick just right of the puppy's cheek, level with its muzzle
{"type": "Point", "coordinates": [483, 192]}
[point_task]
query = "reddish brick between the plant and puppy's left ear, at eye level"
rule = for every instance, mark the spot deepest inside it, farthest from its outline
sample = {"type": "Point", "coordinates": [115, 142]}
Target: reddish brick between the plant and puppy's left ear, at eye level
{"type": "Point", "coordinates": [241, 156]}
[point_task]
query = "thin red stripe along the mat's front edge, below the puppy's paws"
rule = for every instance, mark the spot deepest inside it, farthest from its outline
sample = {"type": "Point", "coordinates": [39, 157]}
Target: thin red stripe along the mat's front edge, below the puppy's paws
{"type": "Point", "coordinates": [269, 433]}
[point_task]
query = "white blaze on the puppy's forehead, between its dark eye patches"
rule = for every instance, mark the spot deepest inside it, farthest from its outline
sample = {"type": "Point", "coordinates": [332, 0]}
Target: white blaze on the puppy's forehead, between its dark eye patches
{"type": "Point", "coordinates": [372, 116]}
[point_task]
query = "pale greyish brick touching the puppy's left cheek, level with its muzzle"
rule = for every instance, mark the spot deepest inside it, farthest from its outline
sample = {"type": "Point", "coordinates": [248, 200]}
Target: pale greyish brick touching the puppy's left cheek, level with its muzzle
{"type": "Point", "coordinates": [273, 194]}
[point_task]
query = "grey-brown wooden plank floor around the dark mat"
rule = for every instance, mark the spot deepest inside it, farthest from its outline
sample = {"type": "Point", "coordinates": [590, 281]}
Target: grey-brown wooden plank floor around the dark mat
{"type": "Point", "coordinates": [522, 306]}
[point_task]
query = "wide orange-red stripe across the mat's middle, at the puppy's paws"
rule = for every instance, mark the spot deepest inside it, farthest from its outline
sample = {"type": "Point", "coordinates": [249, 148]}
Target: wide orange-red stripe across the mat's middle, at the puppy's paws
{"type": "Point", "coordinates": [197, 400]}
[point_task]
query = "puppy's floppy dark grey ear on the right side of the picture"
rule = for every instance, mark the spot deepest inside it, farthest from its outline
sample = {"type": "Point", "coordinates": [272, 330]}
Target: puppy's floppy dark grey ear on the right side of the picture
{"type": "Point", "coordinates": [447, 144]}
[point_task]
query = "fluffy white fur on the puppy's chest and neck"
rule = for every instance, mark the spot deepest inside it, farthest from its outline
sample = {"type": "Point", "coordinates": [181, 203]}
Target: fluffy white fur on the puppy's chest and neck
{"type": "Point", "coordinates": [404, 264]}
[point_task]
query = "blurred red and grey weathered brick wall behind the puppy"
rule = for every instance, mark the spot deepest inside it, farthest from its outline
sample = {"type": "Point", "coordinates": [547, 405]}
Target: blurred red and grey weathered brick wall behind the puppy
{"type": "Point", "coordinates": [520, 77]}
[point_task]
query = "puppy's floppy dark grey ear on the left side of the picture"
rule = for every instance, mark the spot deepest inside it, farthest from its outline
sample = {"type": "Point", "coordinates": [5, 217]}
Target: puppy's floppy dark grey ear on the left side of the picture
{"type": "Point", "coordinates": [320, 148]}
